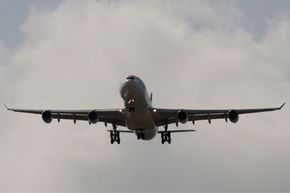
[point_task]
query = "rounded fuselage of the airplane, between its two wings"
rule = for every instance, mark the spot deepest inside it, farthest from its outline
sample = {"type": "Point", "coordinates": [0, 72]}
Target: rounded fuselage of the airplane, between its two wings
{"type": "Point", "coordinates": [138, 108]}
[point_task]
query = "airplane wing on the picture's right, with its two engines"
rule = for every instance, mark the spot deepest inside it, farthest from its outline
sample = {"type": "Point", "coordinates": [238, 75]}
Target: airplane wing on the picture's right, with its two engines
{"type": "Point", "coordinates": [164, 117]}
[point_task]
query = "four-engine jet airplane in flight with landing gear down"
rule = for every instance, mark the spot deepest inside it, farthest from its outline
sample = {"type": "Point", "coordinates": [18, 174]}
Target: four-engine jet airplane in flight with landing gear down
{"type": "Point", "coordinates": [139, 116]}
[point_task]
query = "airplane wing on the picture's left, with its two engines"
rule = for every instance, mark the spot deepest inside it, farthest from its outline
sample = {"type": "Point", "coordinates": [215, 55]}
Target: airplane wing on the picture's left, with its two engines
{"type": "Point", "coordinates": [112, 116]}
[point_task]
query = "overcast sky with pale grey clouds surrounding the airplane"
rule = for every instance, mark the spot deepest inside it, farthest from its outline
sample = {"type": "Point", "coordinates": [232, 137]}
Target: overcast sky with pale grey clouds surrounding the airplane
{"type": "Point", "coordinates": [191, 54]}
